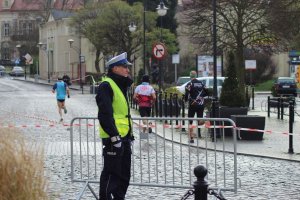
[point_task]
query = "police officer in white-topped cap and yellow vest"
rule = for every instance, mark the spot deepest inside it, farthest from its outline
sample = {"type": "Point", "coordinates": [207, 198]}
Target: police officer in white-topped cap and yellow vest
{"type": "Point", "coordinates": [115, 129]}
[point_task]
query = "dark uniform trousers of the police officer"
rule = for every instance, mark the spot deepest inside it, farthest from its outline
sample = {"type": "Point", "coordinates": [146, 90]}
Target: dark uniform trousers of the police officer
{"type": "Point", "coordinates": [115, 177]}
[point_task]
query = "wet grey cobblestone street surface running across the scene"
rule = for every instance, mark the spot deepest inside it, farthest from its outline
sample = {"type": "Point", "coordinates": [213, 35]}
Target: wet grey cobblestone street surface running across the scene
{"type": "Point", "coordinates": [26, 105]}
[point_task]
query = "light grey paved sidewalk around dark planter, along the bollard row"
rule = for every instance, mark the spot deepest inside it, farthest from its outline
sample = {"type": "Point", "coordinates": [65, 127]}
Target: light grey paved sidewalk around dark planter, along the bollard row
{"type": "Point", "coordinates": [273, 145]}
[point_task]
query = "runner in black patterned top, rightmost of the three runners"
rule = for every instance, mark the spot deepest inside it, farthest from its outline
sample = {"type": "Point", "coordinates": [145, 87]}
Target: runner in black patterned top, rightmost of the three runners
{"type": "Point", "coordinates": [195, 92]}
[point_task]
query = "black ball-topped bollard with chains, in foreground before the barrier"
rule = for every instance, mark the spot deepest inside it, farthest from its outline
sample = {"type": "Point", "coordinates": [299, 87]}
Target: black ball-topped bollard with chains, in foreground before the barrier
{"type": "Point", "coordinates": [201, 185]}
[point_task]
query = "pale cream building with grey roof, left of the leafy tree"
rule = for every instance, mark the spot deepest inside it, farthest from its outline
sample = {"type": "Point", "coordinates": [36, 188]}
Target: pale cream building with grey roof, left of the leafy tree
{"type": "Point", "coordinates": [63, 50]}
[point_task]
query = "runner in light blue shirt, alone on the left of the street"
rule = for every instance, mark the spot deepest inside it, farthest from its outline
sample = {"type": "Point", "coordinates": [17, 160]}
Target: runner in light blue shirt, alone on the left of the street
{"type": "Point", "coordinates": [62, 90]}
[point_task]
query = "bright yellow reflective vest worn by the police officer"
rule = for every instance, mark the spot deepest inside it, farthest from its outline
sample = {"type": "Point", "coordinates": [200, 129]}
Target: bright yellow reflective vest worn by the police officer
{"type": "Point", "coordinates": [120, 111]}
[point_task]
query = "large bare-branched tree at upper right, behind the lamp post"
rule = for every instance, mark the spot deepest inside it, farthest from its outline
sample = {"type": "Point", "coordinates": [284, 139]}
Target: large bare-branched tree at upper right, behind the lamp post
{"type": "Point", "coordinates": [240, 24]}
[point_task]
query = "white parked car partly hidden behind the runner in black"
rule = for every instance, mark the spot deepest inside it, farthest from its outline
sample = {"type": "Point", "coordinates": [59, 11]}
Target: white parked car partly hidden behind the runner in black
{"type": "Point", "coordinates": [208, 81]}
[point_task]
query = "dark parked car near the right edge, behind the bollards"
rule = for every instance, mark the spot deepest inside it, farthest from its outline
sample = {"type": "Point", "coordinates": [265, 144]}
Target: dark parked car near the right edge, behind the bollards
{"type": "Point", "coordinates": [284, 86]}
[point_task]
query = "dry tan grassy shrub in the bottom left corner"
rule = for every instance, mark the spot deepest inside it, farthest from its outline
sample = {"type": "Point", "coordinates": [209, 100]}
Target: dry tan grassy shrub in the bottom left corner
{"type": "Point", "coordinates": [21, 170]}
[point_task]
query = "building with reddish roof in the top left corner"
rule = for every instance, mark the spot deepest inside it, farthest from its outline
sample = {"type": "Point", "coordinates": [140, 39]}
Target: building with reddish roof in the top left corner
{"type": "Point", "coordinates": [19, 21]}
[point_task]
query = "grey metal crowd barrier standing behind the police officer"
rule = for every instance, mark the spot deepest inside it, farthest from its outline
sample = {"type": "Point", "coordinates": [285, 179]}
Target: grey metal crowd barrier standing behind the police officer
{"type": "Point", "coordinates": [163, 158]}
